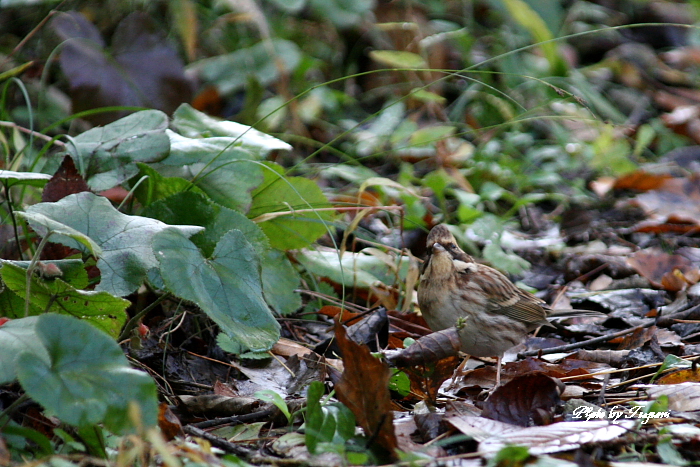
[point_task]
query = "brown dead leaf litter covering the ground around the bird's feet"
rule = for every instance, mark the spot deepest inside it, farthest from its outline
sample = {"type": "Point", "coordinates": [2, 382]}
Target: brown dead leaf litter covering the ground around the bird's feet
{"type": "Point", "coordinates": [603, 387]}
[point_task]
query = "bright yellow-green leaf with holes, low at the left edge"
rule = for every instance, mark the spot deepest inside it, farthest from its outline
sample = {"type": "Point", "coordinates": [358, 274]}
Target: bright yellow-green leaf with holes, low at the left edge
{"type": "Point", "coordinates": [100, 309]}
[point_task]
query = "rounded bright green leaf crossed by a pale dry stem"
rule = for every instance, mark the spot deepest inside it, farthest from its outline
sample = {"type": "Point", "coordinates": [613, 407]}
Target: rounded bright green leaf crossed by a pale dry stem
{"type": "Point", "coordinates": [276, 205]}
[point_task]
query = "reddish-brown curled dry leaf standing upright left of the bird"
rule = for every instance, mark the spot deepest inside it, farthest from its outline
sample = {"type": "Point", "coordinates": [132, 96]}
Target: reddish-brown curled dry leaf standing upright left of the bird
{"type": "Point", "coordinates": [364, 389]}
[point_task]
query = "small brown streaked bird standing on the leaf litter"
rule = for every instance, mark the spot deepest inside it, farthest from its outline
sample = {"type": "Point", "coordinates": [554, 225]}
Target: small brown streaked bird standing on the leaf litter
{"type": "Point", "coordinates": [493, 313]}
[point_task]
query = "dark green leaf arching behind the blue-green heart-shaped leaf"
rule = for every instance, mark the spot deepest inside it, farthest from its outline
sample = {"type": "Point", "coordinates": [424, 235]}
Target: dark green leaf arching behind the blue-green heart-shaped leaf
{"type": "Point", "coordinates": [279, 278]}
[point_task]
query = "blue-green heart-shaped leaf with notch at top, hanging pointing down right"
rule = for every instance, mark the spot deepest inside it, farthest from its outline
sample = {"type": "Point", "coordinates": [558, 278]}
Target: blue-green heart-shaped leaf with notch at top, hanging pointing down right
{"type": "Point", "coordinates": [226, 287]}
